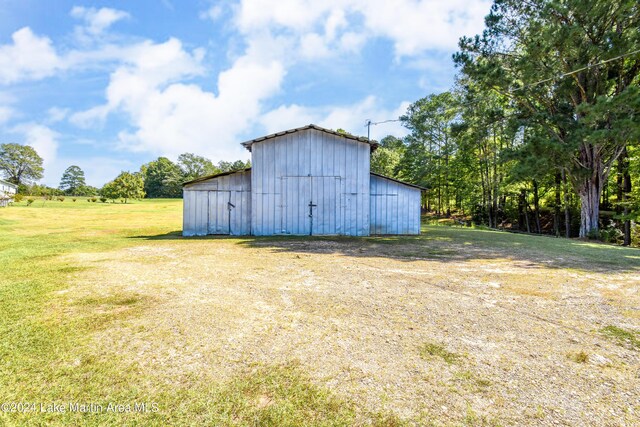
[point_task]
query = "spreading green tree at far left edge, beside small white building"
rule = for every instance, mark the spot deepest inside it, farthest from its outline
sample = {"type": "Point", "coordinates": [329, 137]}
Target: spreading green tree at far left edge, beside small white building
{"type": "Point", "coordinates": [20, 164]}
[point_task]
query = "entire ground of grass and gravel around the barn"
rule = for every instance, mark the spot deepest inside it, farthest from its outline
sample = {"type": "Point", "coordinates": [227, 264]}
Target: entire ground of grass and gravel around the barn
{"type": "Point", "coordinates": [107, 304]}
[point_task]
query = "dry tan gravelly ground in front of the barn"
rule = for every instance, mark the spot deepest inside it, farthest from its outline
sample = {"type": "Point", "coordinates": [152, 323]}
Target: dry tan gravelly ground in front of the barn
{"type": "Point", "coordinates": [440, 331]}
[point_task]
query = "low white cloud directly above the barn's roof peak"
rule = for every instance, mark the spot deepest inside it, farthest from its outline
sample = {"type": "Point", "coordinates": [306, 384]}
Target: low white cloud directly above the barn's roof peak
{"type": "Point", "coordinates": [348, 117]}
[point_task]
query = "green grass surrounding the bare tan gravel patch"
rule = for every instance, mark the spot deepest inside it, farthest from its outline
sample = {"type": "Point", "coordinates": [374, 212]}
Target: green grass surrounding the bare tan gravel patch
{"type": "Point", "coordinates": [48, 338]}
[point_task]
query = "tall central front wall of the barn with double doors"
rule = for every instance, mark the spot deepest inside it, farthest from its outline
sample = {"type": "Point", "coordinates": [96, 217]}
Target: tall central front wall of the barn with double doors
{"type": "Point", "coordinates": [290, 171]}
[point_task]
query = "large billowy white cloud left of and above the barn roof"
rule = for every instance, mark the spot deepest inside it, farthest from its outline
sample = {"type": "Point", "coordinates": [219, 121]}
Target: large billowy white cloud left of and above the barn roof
{"type": "Point", "coordinates": [169, 116]}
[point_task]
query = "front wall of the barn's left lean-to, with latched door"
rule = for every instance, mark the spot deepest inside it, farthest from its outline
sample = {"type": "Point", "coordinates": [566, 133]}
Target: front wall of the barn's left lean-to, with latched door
{"type": "Point", "coordinates": [206, 206]}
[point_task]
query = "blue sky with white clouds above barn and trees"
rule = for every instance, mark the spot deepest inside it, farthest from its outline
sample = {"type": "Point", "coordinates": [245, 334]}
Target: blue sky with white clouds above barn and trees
{"type": "Point", "coordinates": [110, 85]}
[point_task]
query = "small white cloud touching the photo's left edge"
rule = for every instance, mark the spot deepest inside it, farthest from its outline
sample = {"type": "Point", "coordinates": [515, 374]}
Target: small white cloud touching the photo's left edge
{"type": "Point", "coordinates": [27, 57]}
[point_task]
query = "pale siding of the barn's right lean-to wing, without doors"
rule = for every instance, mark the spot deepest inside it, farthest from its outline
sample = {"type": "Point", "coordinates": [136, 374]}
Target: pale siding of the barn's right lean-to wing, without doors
{"type": "Point", "coordinates": [395, 208]}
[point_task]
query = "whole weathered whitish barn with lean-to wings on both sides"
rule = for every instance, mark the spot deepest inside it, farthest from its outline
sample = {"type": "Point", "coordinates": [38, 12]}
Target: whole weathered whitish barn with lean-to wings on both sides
{"type": "Point", "coordinates": [304, 181]}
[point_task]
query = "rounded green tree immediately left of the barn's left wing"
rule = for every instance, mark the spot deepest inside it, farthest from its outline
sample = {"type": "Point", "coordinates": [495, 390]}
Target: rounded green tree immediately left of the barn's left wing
{"type": "Point", "coordinates": [162, 178]}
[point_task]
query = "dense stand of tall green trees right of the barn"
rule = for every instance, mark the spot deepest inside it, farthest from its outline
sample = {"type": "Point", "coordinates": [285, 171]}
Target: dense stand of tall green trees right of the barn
{"type": "Point", "coordinates": [540, 132]}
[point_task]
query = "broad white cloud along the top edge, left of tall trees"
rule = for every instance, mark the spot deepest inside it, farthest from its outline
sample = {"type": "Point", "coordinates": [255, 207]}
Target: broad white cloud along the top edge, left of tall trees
{"type": "Point", "coordinates": [413, 26]}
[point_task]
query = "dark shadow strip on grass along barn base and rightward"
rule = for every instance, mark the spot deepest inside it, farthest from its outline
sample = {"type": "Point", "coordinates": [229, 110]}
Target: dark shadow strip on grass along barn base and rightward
{"type": "Point", "coordinates": [449, 244]}
